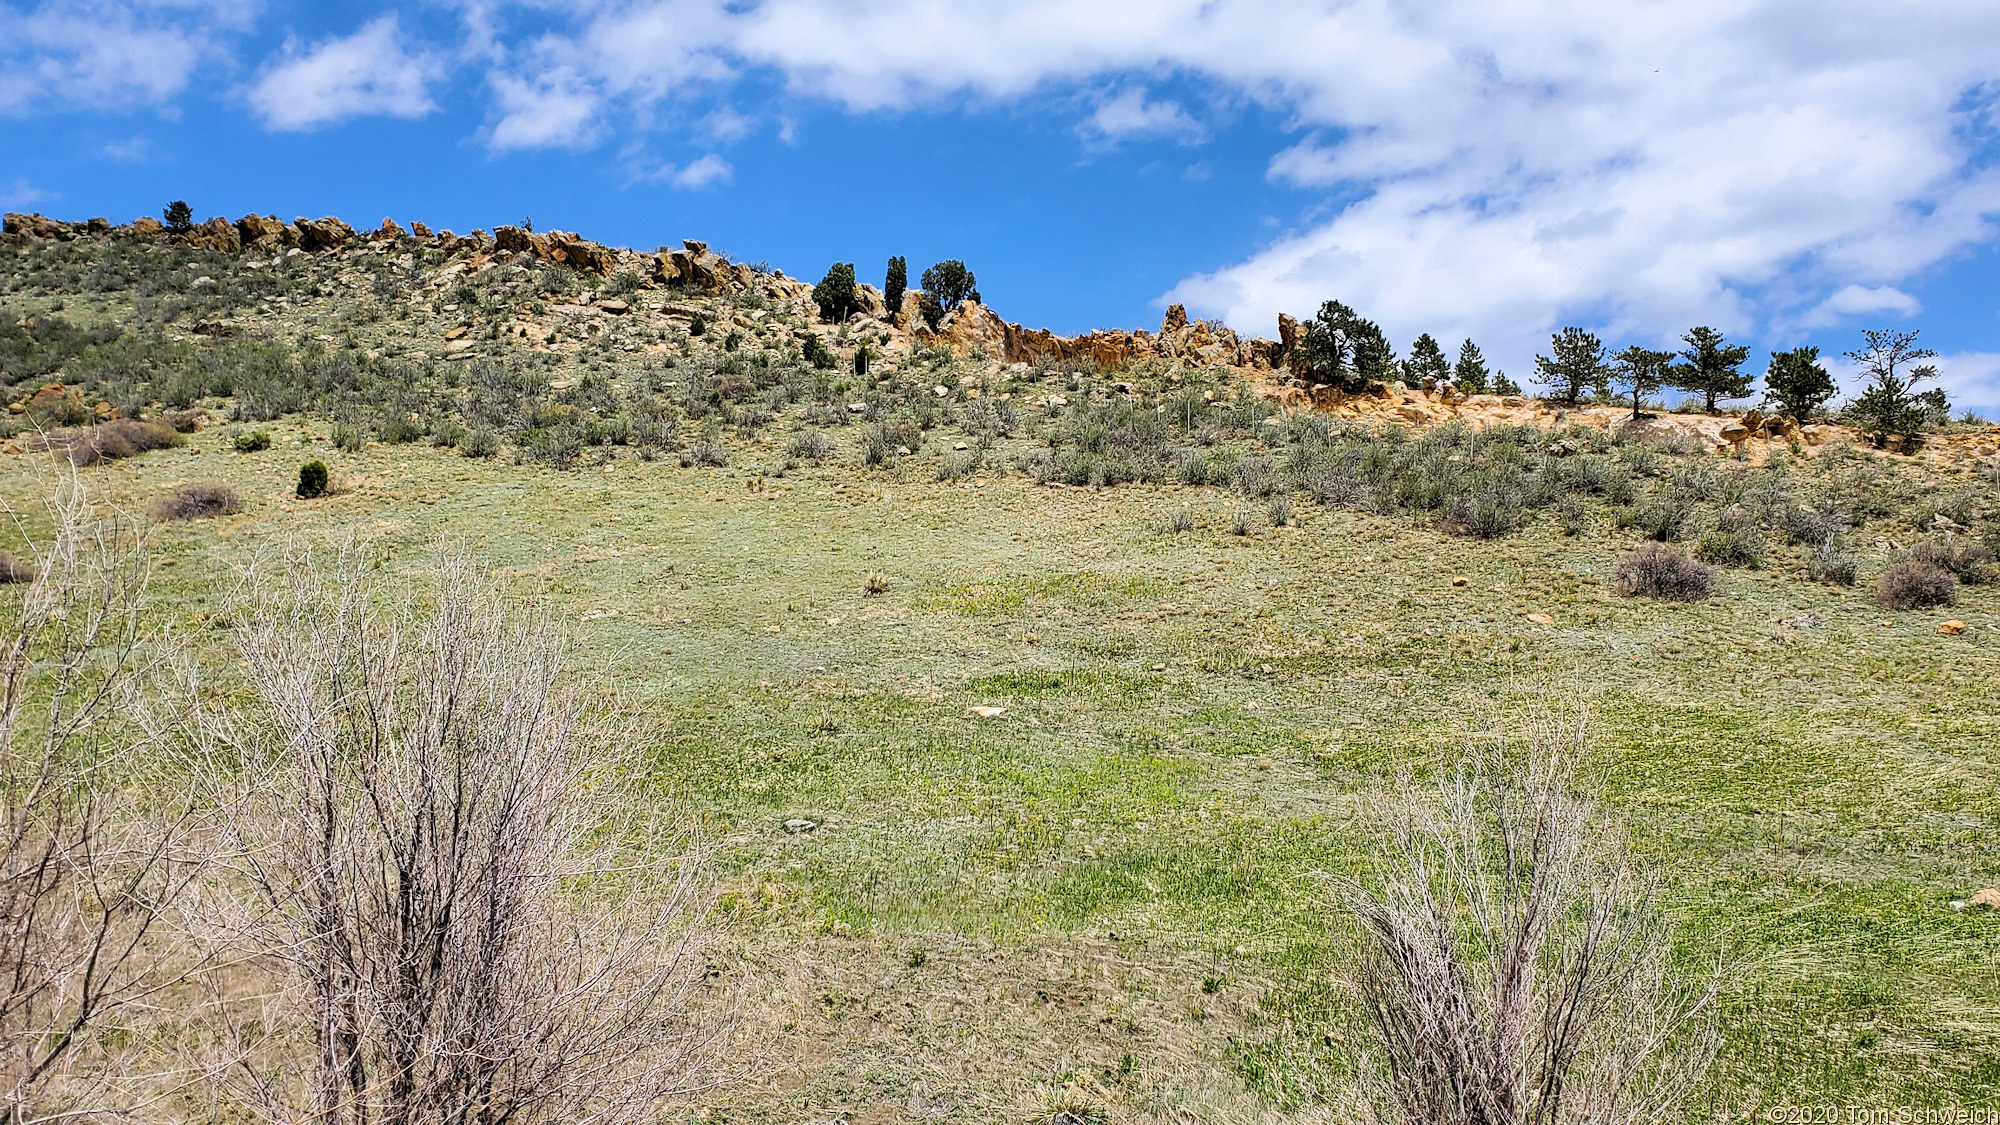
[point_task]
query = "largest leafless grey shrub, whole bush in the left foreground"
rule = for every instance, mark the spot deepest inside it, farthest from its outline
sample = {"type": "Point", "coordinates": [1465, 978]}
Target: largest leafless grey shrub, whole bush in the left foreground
{"type": "Point", "coordinates": [437, 868]}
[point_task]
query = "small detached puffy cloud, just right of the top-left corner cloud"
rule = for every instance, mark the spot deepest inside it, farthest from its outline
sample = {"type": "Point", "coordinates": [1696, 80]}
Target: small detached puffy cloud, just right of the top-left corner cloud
{"type": "Point", "coordinates": [361, 75]}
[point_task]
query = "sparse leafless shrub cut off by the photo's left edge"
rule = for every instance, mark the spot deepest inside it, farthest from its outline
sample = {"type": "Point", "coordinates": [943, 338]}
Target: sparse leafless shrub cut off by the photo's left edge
{"type": "Point", "coordinates": [85, 876]}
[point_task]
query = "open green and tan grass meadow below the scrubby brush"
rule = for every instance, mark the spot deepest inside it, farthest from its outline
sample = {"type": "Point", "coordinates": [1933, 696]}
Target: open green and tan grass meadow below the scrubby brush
{"type": "Point", "coordinates": [1189, 722]}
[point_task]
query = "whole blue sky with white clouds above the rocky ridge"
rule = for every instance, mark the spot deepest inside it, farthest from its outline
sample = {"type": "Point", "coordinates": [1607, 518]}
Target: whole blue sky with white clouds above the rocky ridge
{"type": "Point", "coordinates": [1785, 171]}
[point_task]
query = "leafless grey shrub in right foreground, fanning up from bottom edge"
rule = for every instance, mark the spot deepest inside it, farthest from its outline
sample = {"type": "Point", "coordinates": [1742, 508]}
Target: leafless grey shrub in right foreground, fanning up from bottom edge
{"type": "Point", "coordinates": [1517, 968]}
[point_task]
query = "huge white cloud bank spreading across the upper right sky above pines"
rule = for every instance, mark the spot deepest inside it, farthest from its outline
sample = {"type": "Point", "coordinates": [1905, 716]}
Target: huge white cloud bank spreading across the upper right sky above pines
{"type": "Point", "coordinates": [1495, 169]}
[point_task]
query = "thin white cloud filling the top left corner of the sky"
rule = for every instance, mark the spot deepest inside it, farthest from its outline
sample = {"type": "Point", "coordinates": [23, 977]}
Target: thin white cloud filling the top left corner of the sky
{"type": "Point", "coordinates": [107, 55]}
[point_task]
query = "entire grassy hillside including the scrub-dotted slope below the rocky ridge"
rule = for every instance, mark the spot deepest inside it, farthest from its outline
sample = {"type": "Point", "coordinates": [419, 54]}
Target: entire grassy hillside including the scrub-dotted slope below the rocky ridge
{"type": "Point", "coordinates": [1105, 898]}
